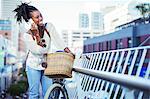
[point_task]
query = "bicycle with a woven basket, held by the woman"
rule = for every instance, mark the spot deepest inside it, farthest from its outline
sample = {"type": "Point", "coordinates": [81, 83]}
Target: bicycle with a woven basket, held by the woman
{"type": "Point", "coordinates": [58, 90]}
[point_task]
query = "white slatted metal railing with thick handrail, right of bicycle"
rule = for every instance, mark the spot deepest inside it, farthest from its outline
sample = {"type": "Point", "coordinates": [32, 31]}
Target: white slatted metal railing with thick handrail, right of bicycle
{"type": "Point", "coordinates": [113, 74]}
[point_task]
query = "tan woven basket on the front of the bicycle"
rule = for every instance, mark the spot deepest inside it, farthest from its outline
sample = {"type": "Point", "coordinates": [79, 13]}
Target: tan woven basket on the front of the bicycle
{"type": "Point", "coordinates": [59, 65]}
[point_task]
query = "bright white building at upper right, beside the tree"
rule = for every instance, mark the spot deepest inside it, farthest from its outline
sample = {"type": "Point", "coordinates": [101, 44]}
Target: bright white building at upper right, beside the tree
{"type": "Point", "coordinates": [122, 14]}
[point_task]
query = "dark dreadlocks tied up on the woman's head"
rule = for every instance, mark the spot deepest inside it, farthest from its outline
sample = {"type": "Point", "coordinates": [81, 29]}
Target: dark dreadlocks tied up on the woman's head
{"type": "Point", "coordinates": [23, 12]}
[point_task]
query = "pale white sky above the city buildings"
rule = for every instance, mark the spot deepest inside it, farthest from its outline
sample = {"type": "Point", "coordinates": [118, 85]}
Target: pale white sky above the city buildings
{"type": "Point", "coordinates": [64, 14]}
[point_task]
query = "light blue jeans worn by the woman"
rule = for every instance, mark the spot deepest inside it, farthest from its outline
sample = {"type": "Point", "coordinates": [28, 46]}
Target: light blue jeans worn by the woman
{"type": "Point", "coordinates": [35, 78]}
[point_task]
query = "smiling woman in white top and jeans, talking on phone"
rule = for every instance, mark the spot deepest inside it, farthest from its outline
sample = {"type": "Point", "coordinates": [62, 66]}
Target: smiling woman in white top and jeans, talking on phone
{"type": "Point", "coordinates": [38, 41]}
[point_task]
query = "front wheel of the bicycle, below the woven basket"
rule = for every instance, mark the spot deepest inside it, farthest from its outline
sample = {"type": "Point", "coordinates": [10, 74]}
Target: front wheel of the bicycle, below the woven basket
{"type": "Point", "coordinates": [56, 91]}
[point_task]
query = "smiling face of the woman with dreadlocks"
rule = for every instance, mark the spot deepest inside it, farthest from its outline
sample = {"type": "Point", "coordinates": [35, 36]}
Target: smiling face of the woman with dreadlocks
{"type": "Point", "coordinates": [37, 17]}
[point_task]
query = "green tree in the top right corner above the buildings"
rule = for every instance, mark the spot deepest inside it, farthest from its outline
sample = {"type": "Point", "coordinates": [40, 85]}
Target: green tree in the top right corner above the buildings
{"type": "Point", "coordinates": [144, 9]}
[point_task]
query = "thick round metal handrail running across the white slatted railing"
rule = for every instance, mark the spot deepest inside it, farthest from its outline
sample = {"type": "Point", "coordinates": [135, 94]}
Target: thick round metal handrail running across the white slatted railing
{"type": "Point", "coordinates": [125, 80]}
